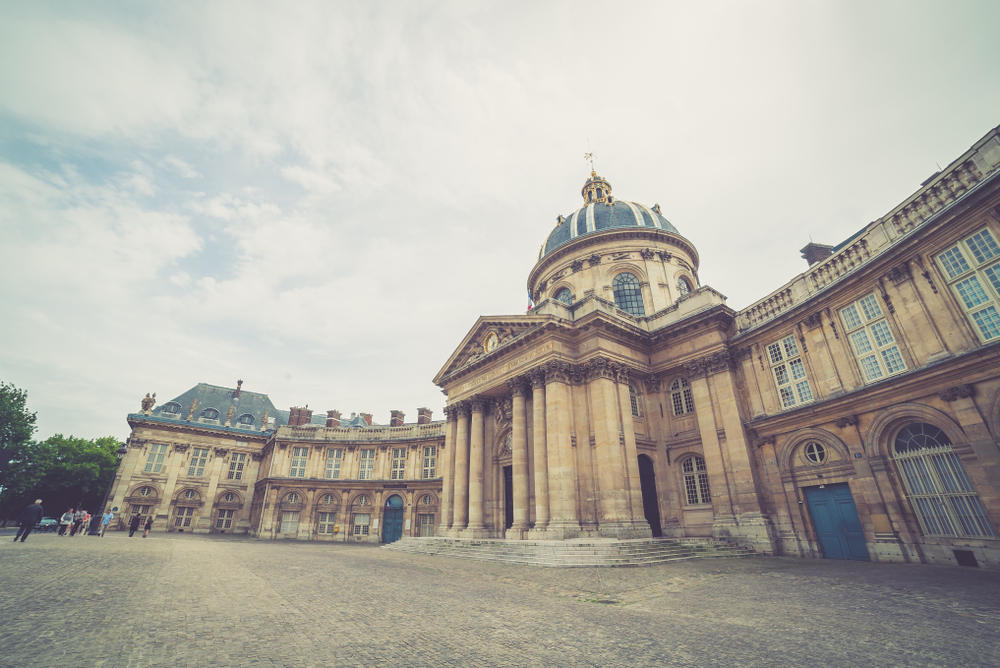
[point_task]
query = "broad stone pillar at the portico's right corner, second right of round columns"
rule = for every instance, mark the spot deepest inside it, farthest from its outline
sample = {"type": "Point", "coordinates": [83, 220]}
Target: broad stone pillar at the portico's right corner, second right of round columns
{"type": "Point", "coordinates": [613, 516]}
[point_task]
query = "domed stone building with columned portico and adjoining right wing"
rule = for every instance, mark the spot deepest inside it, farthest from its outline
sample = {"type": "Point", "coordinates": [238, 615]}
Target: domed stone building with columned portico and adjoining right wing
{"type": "Point", "coordinates": [853, 413]}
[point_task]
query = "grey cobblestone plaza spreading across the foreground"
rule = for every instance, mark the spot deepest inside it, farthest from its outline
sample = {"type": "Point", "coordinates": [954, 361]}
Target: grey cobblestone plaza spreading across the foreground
{"type": "Point", "coordinates": [186, 600]}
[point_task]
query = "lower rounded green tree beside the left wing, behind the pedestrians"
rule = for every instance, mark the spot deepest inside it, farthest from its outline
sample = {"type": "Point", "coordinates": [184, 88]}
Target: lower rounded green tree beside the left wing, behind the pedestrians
{"type": "Point", "coordinates": [63, 471]}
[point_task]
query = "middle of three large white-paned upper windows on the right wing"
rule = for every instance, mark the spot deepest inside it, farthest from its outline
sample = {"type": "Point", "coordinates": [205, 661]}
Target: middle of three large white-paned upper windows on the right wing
{"type": "Point", "coordinates": [871, 339]}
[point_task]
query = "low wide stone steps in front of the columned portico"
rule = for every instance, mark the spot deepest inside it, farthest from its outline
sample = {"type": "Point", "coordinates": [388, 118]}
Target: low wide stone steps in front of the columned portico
{"type": "Point", "coordinates": [587, 552]}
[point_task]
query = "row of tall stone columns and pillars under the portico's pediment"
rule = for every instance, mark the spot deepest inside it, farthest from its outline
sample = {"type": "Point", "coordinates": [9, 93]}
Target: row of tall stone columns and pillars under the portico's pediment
{"type": "Point", "coordinates": [555, 438]}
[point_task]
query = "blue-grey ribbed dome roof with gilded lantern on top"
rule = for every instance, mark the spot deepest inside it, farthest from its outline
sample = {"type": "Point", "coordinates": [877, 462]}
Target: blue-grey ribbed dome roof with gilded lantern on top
{"type": "Point", "coordinates": [602, 212]}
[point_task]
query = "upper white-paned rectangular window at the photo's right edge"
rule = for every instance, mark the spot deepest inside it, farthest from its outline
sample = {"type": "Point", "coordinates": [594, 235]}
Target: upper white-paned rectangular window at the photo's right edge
{"type": "Point", "coordinates": [973, 270]}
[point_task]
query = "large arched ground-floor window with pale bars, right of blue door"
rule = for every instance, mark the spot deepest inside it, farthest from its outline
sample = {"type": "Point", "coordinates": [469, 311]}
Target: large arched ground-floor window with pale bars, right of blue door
{"type": "Point", "coordinates": [942, 496]}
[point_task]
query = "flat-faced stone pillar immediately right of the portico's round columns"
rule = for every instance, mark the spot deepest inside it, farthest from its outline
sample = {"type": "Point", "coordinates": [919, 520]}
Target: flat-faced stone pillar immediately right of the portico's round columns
{"type": "Point", "coordinates": [564, 522]}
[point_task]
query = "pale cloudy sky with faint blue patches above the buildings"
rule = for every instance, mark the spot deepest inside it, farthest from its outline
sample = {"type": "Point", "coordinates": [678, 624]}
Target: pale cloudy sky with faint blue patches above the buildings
{"type": "Point", "coordinates": [321, 198]}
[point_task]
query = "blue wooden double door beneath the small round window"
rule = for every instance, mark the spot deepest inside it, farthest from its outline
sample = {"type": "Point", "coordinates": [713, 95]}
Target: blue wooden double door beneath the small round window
{"type": "Point", "coordinates": [837, 524]}
